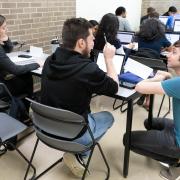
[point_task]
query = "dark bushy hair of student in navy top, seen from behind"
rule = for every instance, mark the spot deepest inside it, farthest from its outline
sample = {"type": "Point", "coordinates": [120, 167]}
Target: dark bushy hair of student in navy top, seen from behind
{"type": "Point", "coordinates": [151, 29]}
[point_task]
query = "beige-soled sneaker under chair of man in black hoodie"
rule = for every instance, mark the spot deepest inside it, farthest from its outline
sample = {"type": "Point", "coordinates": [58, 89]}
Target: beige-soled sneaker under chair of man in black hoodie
{"type": "Point", "coordinates": [73, 164]}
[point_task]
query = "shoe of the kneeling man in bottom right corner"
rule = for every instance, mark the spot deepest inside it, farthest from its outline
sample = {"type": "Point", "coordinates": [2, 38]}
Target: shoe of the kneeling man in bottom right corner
{"type": "Point", "coordinates": [172, 173]}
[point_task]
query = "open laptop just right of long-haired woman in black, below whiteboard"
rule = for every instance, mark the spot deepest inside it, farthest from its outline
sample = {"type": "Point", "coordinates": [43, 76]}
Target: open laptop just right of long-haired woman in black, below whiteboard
{"type": "Point", "coordinates": [125, 37]}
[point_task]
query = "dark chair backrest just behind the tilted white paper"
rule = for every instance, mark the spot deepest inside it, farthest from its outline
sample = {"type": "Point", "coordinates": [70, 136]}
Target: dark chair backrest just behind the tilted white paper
{"type": "Point", "coordinates": [156, 64]}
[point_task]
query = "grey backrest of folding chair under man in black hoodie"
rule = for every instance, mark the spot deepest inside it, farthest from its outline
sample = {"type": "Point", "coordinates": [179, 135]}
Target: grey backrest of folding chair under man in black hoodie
{"type": "Point", "coordinates": [57, 122]}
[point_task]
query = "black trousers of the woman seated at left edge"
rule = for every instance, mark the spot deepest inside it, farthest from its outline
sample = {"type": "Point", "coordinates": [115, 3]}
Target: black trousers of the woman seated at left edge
{"type": "Point", "coordinates": [21, 85]}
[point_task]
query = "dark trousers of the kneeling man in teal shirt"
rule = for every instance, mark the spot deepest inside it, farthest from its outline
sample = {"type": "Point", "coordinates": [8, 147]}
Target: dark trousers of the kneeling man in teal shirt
{"type": "Point", "coordinates": [158, 143]}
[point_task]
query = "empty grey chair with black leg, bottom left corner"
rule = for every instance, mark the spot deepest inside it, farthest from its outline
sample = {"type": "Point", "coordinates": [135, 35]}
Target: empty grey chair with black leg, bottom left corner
{"type": "Point", "coordinates": [10, 127]}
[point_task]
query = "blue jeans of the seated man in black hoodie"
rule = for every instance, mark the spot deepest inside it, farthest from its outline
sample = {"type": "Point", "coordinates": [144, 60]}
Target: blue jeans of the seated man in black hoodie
{"type": "Point", "coordinates": [99, 123]}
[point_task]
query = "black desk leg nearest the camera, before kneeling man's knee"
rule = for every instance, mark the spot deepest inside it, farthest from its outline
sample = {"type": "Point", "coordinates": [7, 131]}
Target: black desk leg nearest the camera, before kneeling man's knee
{"type": "Point", "coordinates": [128, 136]}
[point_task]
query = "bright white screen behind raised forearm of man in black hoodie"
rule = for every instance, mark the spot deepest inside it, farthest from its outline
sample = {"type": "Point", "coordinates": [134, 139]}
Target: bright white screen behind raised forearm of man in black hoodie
{"type": "Point", "coordinates": [117, 60]}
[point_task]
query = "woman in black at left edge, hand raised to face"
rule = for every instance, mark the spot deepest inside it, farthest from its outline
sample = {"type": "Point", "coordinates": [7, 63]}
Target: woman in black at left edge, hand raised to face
{"type": "Point", "coordinates": [17, 78]}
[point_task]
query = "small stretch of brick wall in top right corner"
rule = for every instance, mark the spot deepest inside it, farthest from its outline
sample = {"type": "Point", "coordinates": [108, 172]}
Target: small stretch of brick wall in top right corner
{"type": "Point", "coordinates": [161, 6]}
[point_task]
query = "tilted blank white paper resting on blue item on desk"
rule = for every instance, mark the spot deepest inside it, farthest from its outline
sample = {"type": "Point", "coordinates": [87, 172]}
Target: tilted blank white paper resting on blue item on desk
{"type": "Point", "coordinates": [137, 68]}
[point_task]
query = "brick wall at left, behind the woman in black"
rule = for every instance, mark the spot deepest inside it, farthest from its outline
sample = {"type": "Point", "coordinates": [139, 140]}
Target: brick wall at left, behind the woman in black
{"type": "Point", "coordinates": [36, 22]}
